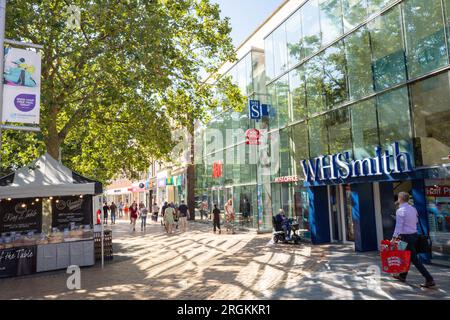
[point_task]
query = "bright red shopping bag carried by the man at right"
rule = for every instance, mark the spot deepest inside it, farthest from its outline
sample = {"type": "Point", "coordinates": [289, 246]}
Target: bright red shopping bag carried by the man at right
{"type": "Point", "coordinates": [392, 259]}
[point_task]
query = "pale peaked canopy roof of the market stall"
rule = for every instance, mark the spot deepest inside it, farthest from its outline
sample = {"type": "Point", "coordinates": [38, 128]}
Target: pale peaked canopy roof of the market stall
{"type": "Point", "coordinates": [46, 177]}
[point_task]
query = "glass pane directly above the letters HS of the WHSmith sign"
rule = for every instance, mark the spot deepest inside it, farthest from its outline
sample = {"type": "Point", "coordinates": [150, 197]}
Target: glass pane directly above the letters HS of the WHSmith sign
{"type": "Point", "coordinates": [339, 136]}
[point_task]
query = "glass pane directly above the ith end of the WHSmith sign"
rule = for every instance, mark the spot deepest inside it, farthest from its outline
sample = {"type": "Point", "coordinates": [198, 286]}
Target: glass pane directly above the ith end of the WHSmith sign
{"type": "Point", "coordinates": [394, 118]}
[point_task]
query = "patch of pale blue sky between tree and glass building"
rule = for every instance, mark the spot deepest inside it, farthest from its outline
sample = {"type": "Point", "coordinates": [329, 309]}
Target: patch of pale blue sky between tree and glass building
{"type": "Point", "coordinates": [246, 15]}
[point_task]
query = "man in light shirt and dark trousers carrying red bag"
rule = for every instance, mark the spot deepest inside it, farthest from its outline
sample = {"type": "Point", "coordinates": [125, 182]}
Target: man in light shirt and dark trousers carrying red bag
{"type": "Point", "coordinates": [406, 230]}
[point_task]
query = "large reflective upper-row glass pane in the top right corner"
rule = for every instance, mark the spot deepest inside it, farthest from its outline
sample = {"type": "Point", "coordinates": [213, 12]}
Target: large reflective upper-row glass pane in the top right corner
{"type": "Point", "coordinates": [425, 36]}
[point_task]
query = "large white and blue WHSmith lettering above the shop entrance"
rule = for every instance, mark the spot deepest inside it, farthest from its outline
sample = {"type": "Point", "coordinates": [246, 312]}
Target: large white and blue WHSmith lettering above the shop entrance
{"type": "Point", "coordinates": [340, 166]}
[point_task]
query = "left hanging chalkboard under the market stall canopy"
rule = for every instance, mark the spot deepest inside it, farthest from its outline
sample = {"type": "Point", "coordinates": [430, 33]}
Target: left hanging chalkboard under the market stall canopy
{"type": "Point", "coordinates": [20, 215]}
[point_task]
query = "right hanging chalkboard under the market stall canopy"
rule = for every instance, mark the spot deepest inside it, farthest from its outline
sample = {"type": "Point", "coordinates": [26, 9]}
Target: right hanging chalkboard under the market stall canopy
{"type": "Point", "coordinates": [71, 209]}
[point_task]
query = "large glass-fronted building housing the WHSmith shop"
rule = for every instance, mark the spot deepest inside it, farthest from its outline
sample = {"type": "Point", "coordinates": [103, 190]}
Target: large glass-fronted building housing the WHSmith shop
{"type": "Point", "coordinates": [346, 76]}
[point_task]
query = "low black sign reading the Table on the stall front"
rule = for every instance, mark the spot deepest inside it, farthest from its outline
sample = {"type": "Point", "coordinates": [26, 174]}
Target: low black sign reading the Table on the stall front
{"type": "Point", "coordinates": [17, 261]}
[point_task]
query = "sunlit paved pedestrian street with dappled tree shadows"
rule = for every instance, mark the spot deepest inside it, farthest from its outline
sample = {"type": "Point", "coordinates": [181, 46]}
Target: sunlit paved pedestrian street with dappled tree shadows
{"type": "Point", "coordinates": [202, 265]}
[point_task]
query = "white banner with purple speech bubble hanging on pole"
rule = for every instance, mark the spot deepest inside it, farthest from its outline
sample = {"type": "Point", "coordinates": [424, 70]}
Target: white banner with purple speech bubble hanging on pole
{"type": "Point", "coordinates": [22, 87]}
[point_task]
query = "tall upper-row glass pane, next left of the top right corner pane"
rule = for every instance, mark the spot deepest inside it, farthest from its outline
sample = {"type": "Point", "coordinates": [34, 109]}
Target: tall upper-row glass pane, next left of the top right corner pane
{"type": "Point", "coordinates": [387, 48]}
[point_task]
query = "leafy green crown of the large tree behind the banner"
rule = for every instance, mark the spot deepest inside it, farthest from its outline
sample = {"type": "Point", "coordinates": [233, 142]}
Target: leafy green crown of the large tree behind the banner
{"type": "Point", "coordinates": [114, 86]}
